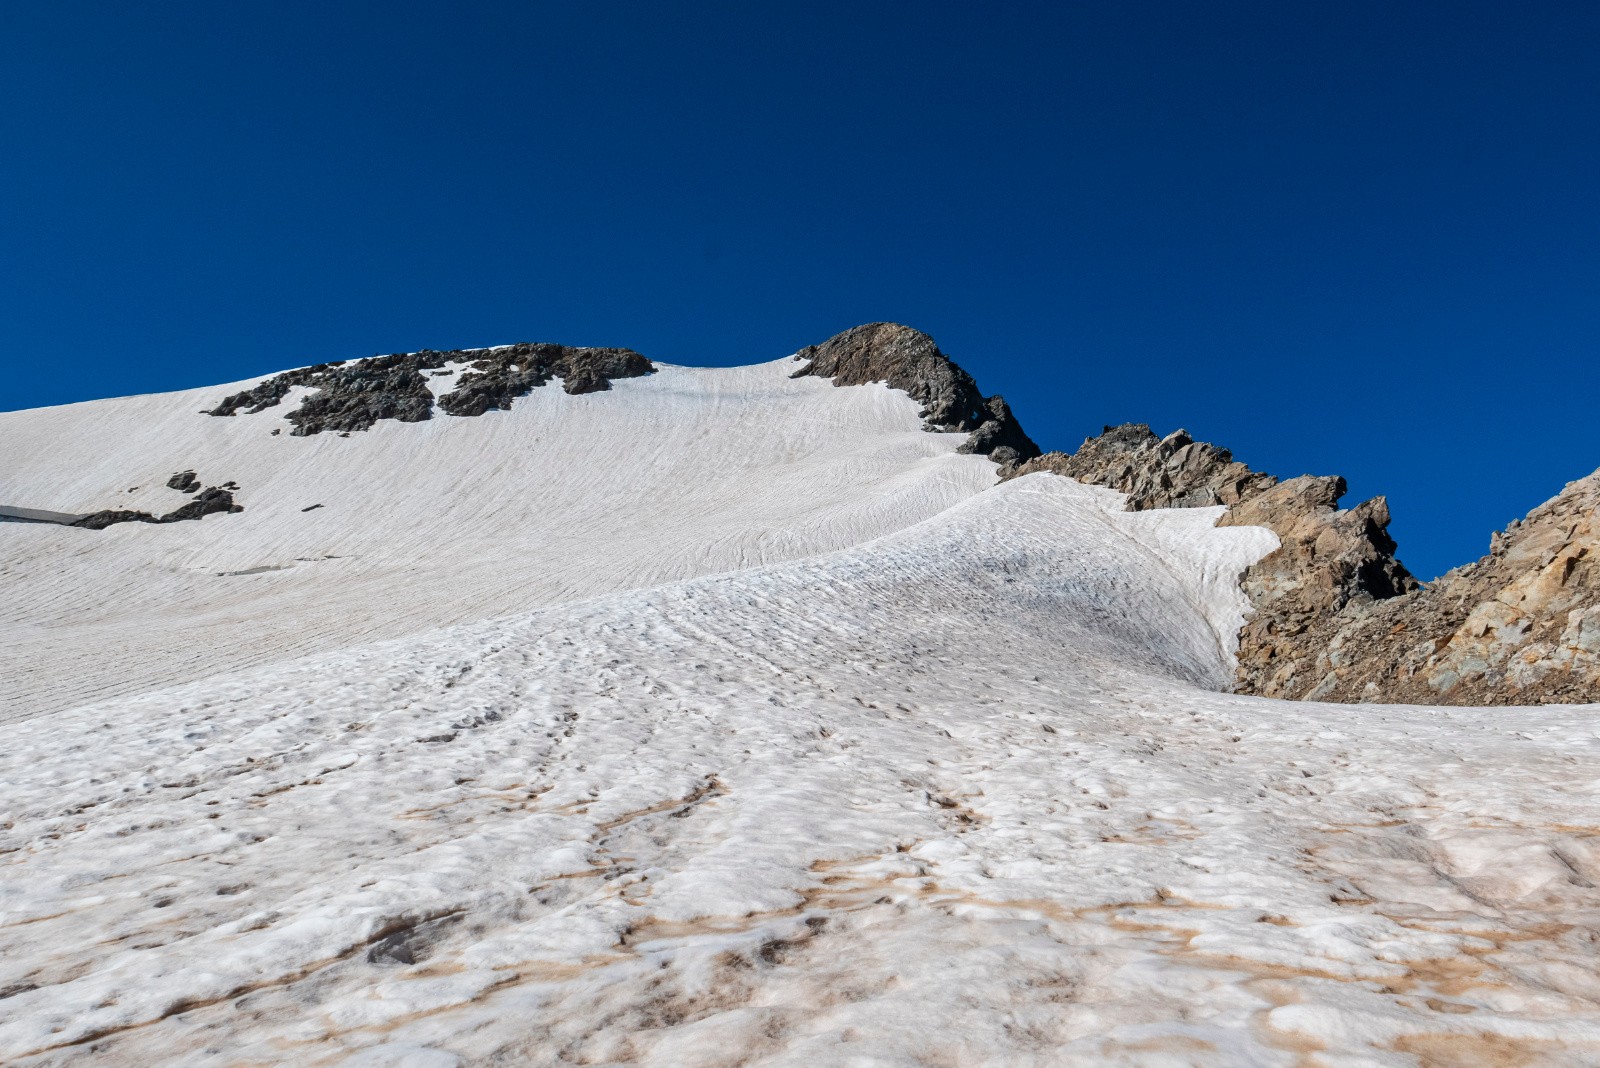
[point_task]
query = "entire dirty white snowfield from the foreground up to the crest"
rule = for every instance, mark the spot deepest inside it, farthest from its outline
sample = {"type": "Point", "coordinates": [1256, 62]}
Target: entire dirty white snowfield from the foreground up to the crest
{"type": "Point", "coordinates": [825, 754]}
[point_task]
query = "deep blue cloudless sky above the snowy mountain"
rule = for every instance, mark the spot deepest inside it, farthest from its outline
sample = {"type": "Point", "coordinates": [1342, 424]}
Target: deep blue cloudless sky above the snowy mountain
{"type": "Point", "coordinates": [1353, 239]}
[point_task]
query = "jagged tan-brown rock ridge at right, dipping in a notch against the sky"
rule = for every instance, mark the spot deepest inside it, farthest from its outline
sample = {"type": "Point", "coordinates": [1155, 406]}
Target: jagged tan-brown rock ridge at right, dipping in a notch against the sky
{"type": "Point", "coordinates": [1338, 616]}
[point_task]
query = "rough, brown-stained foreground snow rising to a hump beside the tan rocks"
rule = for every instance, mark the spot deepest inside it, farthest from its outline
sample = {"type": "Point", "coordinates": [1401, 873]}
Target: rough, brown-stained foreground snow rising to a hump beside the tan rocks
{"type": "Point", "coordinates": [951, 797]}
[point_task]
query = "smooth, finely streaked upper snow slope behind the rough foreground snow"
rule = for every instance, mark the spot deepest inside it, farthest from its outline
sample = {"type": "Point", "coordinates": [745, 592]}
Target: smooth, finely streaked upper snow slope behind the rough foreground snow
{"type": "Point", "coordinates": [687, 472]}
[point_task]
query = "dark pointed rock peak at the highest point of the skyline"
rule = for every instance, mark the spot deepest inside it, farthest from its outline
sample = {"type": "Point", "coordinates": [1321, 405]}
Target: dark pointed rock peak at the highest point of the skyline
{"type": "Point", "coordinates": [910, 361]}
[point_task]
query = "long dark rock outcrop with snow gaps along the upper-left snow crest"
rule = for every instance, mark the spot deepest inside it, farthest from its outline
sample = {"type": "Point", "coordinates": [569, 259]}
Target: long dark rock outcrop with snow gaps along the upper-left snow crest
{"type": "Point", "coordinates": [354, 396]}
